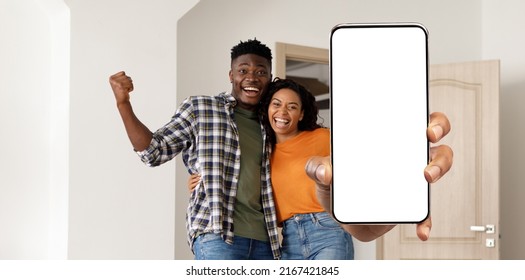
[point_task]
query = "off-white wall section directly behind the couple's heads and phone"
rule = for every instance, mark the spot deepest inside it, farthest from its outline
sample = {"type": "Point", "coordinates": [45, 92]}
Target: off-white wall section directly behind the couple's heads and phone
{"type": "Point", "coordinates": [206, 36]}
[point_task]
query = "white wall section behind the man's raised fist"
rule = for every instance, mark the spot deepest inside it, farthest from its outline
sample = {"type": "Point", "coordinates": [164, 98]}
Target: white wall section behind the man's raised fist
{"type": "Point", "coordinates": [119, 208]}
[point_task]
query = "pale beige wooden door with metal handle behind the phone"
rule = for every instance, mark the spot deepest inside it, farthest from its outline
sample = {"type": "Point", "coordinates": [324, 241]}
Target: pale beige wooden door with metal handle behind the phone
{"type": "Point", "coordinates": [467, 197]}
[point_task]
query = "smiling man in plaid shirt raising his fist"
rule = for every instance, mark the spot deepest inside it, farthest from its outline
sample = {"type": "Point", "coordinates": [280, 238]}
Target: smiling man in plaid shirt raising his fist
{"type": "Point", "coordinates": [234, 193]}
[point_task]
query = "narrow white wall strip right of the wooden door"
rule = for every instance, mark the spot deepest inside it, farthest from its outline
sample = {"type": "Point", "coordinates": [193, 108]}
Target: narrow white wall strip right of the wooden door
{"type": "Point", "coordinates": [503, 24]}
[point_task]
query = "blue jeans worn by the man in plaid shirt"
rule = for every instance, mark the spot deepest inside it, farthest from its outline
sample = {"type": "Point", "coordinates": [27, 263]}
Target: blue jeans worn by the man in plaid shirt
{"type": "Point", "coordinates": [210, 246]}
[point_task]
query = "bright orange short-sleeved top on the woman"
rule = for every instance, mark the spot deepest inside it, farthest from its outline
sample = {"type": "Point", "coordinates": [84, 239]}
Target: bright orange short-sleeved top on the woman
{"type": "Point", "coordinates": [293, 191]}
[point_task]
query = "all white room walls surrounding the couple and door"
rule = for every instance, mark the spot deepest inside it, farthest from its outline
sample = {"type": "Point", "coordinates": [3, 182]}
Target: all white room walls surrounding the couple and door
{"type": "Point", "coordinates": [117, 207]}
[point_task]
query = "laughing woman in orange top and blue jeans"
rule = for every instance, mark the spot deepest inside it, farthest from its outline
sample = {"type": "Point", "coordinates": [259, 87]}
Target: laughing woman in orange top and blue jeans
{"type": "Point", "coordinates": [289, 114]}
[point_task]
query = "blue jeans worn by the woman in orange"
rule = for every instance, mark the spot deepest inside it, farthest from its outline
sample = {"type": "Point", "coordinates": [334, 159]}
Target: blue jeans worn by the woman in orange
{"type": "Point", "coordinates": [315, 236]}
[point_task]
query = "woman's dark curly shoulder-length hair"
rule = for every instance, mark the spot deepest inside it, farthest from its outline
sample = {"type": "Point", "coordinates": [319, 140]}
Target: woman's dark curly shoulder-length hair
{"type": "Point", "coordinates": [309, 107]}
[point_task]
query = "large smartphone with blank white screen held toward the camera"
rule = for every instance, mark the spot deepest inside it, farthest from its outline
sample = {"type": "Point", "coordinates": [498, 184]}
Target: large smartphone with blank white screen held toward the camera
{"type": "Point", "coordinates": [379, 116]}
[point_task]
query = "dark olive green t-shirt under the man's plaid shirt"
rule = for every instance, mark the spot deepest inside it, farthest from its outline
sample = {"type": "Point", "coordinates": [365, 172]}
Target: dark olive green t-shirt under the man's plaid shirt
{"type": "Point", "coordinates": [248, 216]}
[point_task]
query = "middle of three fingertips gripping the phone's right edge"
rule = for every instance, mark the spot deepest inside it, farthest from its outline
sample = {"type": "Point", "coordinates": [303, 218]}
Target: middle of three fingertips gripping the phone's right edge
{"type": "Point", "coordinates": [441, 158]}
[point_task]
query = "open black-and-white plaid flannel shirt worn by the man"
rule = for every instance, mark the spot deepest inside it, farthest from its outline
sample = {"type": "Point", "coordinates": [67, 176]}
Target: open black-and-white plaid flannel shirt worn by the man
{"type": "Point", "coordinates": [204, 130]}
